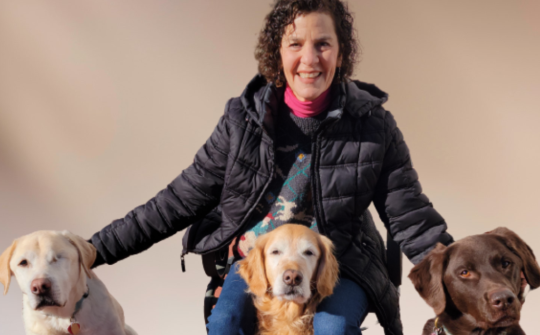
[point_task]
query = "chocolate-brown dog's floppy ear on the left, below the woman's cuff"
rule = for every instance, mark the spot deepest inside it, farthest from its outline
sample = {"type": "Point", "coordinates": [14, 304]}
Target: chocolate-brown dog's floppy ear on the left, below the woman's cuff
{"type": "Point", "coordinates": [427, 278]}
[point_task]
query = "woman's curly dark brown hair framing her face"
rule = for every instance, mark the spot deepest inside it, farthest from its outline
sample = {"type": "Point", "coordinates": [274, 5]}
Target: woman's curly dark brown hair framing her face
{"type": "Point", "coordinates": [284, 12]}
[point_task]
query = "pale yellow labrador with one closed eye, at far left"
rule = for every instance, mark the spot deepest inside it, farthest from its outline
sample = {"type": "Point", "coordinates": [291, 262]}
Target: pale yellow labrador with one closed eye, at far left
{"type": "Point", "coordinates": [61, 295]}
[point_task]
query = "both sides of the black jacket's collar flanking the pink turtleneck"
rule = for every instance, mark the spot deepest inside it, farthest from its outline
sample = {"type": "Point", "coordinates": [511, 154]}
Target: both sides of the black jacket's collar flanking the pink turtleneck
{"type": "Point", "coordinates": [261, 100]}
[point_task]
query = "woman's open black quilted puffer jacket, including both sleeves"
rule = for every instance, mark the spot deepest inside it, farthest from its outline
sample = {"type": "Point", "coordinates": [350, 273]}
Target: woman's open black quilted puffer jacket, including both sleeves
{"type": "Point", "coordinates": [359, 156]}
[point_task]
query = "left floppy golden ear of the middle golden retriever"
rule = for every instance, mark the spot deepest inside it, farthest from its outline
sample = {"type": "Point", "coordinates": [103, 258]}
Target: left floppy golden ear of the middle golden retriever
{"type": "Point", "coordinates": [252, 268]}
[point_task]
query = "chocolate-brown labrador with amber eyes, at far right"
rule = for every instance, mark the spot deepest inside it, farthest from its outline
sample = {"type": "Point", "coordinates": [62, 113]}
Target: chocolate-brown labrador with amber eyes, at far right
{"type": "Point", "coordinates": [474, 285]}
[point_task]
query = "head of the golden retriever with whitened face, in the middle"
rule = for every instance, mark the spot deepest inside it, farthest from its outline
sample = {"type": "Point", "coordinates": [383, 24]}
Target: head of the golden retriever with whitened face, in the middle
{"type": "Point", "coordinates": [289, 263]}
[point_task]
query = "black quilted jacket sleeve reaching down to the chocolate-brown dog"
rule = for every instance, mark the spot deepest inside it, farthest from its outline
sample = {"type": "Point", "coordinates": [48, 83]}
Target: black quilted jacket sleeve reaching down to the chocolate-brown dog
{"type": "Point", "coordinates": [411, 219]}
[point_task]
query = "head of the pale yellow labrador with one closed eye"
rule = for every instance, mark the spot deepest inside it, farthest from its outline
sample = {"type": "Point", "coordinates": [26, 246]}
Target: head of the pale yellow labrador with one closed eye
{"type": "Point", "coordinates": [48, 267]}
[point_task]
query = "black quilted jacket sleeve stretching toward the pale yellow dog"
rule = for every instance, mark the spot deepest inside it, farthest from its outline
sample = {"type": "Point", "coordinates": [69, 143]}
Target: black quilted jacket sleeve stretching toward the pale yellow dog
{"type": "Point", "coordinates": [185, 200]}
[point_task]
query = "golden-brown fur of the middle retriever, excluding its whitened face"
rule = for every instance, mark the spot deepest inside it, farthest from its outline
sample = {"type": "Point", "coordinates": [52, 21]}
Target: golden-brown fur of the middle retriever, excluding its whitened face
{"type": "Point", "coordinates": [286, 317]}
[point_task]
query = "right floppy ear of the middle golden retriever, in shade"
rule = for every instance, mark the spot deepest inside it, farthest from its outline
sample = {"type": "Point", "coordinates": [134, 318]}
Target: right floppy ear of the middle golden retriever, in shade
{"type": "Point", "coordinates": [328, 269]}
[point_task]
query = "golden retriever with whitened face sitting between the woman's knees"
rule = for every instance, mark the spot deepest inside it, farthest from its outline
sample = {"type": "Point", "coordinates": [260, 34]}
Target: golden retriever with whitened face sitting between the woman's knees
{"type": "Point", "coordinates": [289, 271]}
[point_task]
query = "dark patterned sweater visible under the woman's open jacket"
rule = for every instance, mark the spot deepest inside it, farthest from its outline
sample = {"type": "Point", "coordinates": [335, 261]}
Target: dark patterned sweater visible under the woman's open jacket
{"type": "Point", "coordinates": [288, 197]}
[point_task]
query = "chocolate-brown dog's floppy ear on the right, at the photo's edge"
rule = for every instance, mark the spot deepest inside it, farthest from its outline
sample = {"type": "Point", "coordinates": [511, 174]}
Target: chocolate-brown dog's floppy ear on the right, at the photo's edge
{"type": "Point", "coordinates": [520, 248]}
